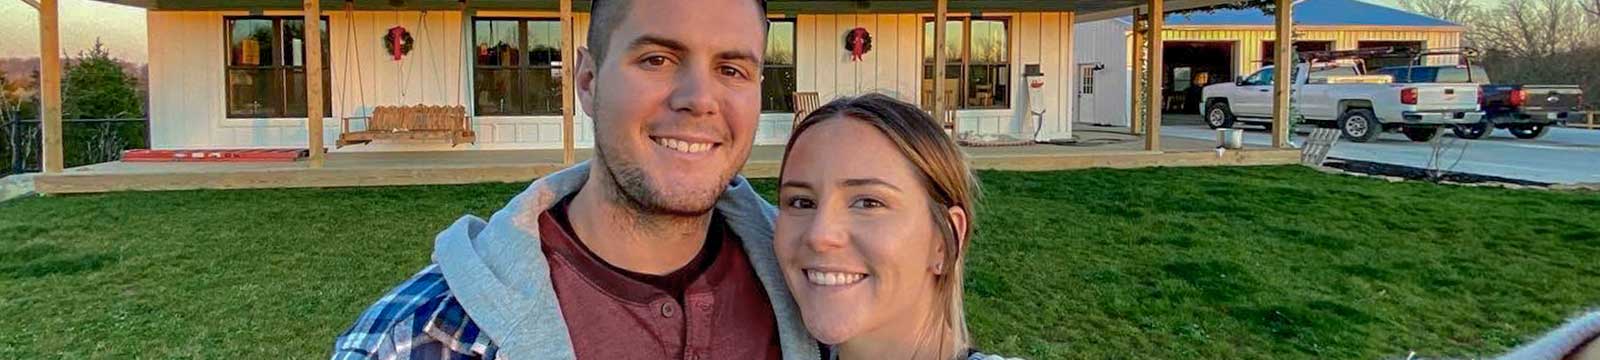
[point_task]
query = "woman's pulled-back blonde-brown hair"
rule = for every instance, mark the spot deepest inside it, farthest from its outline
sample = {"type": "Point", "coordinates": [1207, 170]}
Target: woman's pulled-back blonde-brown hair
{"type": "Point", "coordinates": [945, 174]}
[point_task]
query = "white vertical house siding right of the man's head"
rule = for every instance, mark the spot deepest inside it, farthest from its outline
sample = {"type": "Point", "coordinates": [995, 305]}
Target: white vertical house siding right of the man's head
{"type": "Point", "coordinates": [895, 65]}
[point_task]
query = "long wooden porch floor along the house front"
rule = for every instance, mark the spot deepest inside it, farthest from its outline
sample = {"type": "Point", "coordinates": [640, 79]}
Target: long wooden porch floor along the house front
{"type": "Point", "coordinates": [470, 167]}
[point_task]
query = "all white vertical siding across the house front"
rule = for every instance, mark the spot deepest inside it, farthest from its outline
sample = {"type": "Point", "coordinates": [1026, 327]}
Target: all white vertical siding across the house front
{"type": "Point", "coordinates": [188, 70]}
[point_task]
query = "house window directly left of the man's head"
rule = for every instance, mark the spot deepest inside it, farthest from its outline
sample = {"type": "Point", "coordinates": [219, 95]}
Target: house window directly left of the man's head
{"type": "Point", "coordinates": [518, 66]}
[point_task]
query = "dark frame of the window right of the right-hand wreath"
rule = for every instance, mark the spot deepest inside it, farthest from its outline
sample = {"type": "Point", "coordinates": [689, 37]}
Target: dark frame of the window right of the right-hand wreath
{"type": "Point", "coordinates": [966, 66]}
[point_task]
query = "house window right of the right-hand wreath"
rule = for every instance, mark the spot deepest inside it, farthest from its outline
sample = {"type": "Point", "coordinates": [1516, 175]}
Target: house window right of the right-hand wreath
{"type": "Point", "coordinates": [978, 74]}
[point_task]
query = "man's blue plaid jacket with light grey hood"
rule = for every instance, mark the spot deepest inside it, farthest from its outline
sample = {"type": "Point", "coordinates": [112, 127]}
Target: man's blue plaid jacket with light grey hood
{"type": "Point", "coordinates": [497, 274]}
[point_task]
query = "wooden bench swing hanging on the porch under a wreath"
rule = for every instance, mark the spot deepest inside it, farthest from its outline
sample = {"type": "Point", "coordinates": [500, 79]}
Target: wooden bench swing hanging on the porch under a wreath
{"type": "Point", "coordinates": [412, 122]}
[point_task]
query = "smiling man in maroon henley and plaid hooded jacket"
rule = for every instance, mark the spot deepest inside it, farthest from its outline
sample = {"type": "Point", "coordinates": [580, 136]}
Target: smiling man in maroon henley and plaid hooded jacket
{"type": "Point", "coordinates": [652, 250]}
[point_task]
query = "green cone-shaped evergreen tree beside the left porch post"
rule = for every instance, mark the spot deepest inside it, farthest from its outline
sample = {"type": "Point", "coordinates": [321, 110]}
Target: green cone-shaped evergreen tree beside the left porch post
{"type": "Point", "coordinates": [95, 87]}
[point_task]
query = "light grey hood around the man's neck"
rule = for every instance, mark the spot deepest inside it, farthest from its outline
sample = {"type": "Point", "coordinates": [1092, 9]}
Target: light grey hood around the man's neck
{"type": "Point", "coordinates": [498, 273]}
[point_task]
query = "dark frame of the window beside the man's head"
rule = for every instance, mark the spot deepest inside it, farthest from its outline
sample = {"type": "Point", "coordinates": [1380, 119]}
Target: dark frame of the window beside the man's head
{"type": "Point", "coordinates": [521, 71]}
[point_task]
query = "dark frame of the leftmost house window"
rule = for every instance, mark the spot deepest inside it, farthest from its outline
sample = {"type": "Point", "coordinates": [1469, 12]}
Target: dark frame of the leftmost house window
{"type": "Point", "coordinates": [279, 70]}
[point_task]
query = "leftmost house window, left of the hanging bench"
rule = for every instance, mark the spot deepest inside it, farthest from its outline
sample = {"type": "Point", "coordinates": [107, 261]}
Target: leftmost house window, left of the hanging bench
{"type": "Point", "coordinates": [266, 68]}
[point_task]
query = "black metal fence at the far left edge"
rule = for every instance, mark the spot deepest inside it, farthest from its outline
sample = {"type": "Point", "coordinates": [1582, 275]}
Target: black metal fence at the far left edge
{"type": "Point", "coordinates": [86, 142]}
